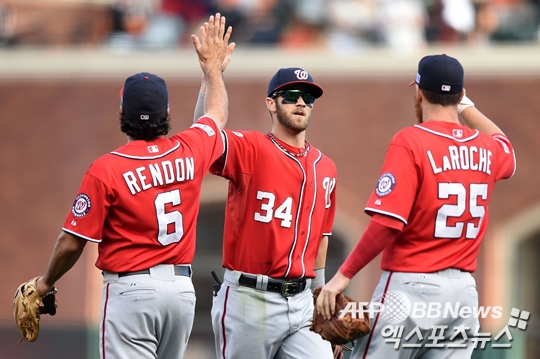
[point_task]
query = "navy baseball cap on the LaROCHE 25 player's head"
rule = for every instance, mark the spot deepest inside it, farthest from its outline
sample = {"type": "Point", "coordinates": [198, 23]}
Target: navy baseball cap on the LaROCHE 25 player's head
{"type": "Point", "coordinates": [440, 73]}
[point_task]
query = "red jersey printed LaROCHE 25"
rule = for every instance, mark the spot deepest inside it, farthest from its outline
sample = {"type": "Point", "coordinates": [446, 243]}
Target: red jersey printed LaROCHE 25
{"type": "Point", "coordinates": [437, 179]}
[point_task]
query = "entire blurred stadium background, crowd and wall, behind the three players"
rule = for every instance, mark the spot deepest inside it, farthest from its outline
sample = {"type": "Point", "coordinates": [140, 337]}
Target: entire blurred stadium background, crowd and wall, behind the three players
{"type": "Point", "coordinates": [62, 63]}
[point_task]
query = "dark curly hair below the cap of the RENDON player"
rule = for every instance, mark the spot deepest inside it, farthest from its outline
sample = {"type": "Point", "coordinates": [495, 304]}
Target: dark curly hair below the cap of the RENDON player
{"type": "Point", "coordinates": [145, 130]}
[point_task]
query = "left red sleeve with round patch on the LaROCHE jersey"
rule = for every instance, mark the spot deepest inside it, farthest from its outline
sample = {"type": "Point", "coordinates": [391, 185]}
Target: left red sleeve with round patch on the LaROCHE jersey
{"type": "Point", "coordinates": [395, 191]}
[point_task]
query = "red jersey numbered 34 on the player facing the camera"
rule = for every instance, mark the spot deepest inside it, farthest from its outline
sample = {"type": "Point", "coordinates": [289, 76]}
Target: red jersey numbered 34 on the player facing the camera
{"type": "Point", "coordinates": [279, 205]}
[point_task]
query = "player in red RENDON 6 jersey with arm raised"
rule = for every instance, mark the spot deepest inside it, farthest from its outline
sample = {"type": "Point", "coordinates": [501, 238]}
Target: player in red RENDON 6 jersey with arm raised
{"type": "Point", "coordinates": [140, 204]}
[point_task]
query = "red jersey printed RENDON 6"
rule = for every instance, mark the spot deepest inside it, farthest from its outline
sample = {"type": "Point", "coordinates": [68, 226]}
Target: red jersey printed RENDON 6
{"type": "Point", "coordinates": [141, 201]}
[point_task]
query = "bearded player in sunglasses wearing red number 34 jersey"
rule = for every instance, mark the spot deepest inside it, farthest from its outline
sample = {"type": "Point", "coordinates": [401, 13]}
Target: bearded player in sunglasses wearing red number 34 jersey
{"type": "Point", "coordinates": [279, 214]}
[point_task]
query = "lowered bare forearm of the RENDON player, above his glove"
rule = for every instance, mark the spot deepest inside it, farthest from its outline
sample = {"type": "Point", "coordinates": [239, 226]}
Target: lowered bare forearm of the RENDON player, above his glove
{"type": "Point", "coordinates": [66, 252]}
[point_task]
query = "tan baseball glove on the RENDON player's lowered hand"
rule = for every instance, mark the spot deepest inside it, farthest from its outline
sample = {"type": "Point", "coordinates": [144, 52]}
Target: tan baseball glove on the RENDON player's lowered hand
{"type": "Point", "coordinates": [28, 305]}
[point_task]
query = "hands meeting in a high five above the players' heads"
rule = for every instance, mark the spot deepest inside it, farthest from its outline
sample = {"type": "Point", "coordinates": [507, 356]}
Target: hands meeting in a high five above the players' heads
{"type": "Point", "coordinates": [213, 46]}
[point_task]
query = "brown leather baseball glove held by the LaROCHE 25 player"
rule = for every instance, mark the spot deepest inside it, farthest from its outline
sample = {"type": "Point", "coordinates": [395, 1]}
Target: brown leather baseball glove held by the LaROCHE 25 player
{"type": "Point", "coordinates": [339, 331]}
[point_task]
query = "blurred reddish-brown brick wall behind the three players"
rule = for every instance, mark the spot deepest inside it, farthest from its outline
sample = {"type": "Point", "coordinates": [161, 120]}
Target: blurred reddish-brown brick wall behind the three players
{"type": "Point", "coordinates": [52, 129]}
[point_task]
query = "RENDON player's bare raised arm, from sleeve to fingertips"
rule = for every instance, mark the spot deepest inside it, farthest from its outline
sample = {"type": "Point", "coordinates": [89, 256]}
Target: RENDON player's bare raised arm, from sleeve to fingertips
{"type": "Point", "coordinates": [214, 55]}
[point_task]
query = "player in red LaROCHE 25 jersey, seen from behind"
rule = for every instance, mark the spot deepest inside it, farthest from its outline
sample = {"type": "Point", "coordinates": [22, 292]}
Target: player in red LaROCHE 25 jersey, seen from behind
{"type": "Point", "coordinates": [429, 213]}
